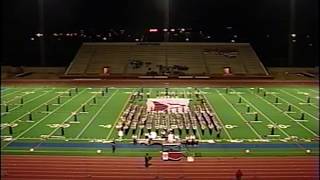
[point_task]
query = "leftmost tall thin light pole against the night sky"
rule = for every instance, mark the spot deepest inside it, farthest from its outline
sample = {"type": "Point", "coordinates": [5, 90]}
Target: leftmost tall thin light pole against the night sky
{"type": "Point", "coordinates": [41, 30]}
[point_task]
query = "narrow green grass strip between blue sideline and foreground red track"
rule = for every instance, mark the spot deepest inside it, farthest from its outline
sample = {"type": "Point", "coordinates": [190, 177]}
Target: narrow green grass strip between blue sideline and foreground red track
{"type": "Point", "coordinates": [155, 152]}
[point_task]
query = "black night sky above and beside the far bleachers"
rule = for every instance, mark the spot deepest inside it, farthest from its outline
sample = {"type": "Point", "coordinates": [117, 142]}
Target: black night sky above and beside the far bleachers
{"type": "Point", "coordinates": [266, 24]}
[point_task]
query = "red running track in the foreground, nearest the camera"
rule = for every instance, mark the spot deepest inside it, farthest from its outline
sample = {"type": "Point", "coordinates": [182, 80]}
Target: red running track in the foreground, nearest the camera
{"type": "Point", "coordinates": [66, 167]}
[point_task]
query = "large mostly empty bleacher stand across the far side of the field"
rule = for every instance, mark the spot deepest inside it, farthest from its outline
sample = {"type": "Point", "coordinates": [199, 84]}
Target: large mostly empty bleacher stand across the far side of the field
{"type": "Point", "coordinates": [166, 59]}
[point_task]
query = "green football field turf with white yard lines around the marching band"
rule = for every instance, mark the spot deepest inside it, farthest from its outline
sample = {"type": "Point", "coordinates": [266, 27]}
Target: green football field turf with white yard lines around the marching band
{"type": "Point", "coordinates": [36, 114]}
